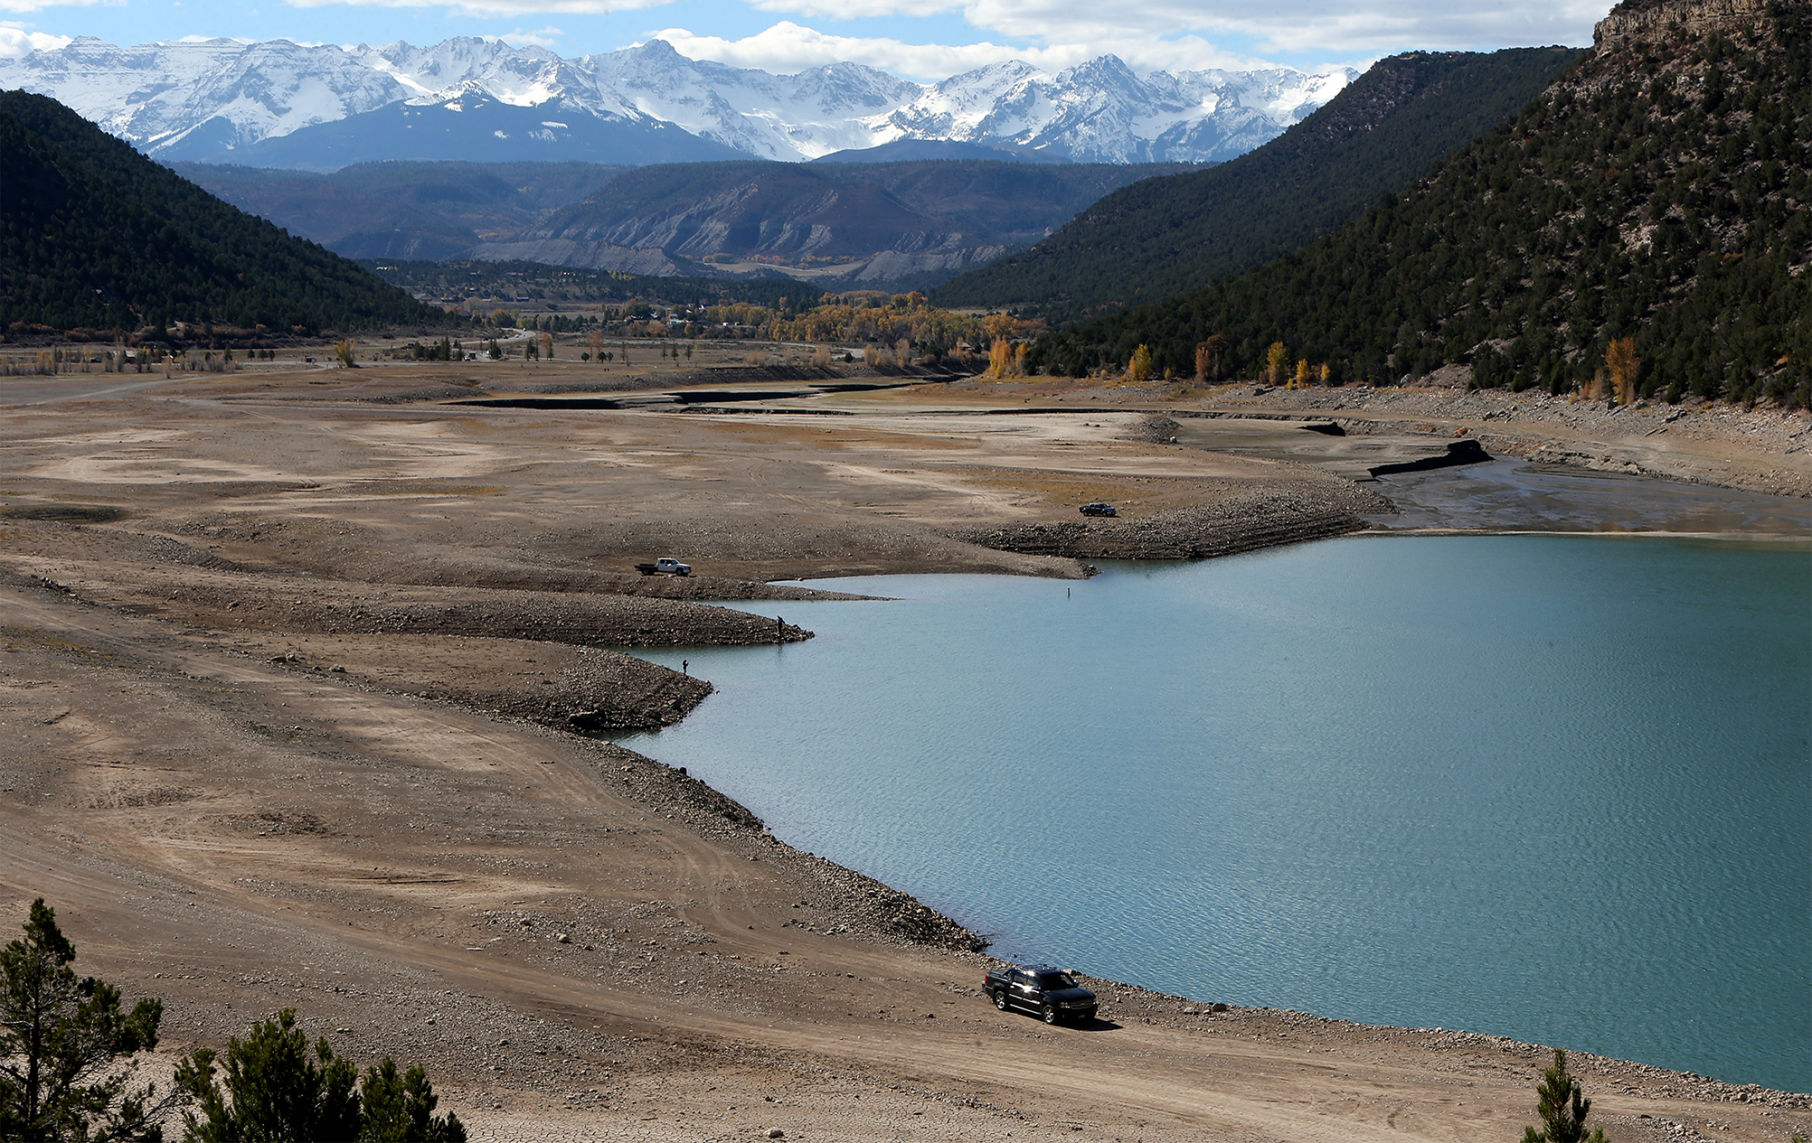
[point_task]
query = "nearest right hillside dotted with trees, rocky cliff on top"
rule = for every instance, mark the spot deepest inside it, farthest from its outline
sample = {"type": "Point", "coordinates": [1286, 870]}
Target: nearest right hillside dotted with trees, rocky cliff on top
{"type": "Point", "coordinates": [1641, 229]}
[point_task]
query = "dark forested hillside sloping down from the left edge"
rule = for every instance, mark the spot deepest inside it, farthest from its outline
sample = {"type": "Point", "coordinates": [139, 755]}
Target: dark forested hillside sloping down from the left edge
{"type": "Point", "coordinates": [99, 238]}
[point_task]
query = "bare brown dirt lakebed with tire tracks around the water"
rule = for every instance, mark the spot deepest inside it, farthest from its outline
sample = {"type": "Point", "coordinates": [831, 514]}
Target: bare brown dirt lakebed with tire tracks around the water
{"type": "Point", "coordinates": [581, 943]}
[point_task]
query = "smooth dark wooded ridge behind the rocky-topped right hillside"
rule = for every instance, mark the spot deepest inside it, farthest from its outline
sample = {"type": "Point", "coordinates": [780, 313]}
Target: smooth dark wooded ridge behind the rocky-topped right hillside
{"type": "Point", "coordinates": [1171, 235]}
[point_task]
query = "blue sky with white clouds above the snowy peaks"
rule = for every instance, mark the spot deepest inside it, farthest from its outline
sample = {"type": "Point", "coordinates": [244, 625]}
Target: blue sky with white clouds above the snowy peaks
{"type": "Point", "coordinates": [918, 39]}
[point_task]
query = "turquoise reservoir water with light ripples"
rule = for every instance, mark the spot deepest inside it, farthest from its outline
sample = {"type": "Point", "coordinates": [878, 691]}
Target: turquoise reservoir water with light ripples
{"type": "Point", "coordinates": [1547, 787]}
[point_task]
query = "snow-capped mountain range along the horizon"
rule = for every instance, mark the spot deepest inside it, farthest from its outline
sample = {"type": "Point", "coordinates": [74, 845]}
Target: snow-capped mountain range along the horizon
{"type": "Point", "coordinates": [231, 102]}
